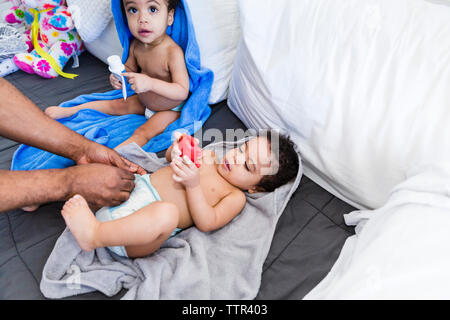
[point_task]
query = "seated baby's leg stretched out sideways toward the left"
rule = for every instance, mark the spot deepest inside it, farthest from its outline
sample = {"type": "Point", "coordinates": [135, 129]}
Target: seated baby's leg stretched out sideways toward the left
{"type": "Point", "coordinates": [115, 107]}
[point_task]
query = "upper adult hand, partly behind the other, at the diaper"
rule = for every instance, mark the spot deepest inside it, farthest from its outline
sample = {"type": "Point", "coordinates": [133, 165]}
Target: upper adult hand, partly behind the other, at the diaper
{"type": "Point", "coordinates": [97, 153]}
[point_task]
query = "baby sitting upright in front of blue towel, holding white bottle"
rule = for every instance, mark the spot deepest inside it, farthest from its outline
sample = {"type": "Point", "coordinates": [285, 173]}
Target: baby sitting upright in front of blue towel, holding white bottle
{"type": "Point", "coordinates": [162, 85]}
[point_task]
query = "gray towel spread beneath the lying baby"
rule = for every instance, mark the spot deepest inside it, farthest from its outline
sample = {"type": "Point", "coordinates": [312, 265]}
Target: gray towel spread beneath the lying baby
{"type": "Point", "coordinates": [223, 264]}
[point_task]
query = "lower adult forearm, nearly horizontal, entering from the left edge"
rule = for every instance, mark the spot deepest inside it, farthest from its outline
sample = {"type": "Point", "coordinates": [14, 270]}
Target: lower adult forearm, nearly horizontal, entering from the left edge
{"type": "Point", "coordinates": [24, 188]}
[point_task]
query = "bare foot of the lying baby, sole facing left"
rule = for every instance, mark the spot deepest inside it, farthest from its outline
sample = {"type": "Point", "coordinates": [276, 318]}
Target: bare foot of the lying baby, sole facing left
{"type": "Point", "coordinates": [81, 222]}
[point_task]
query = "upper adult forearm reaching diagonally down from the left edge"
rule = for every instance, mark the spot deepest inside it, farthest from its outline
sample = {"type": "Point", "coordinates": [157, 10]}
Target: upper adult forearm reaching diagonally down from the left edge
{"type": "Point", "coordinates": [21, 120]}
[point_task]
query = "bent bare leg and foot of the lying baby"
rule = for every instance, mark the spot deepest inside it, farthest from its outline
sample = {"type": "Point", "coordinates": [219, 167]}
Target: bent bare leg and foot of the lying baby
{"type": "Point", "coordinates": [141, 233]}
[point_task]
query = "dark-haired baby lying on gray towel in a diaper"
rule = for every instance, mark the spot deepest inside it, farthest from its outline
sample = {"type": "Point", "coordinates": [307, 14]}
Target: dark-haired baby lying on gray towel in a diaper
{"type": "Point", "coordinates": [181, 195]}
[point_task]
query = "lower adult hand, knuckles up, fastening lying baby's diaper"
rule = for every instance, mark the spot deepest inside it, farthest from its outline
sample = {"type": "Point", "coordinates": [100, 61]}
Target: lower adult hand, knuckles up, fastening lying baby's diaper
{"type": "Point", "coordinates": [101, 185]}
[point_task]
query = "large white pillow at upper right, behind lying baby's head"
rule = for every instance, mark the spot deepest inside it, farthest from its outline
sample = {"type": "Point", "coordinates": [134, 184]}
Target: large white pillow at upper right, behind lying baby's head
{"type": "Point", "coordinates": [362, 86]}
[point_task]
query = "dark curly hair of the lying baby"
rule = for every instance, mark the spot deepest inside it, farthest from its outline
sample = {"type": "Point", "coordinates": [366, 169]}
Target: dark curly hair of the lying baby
{"type": "Point", "coordinates": [287, 157]}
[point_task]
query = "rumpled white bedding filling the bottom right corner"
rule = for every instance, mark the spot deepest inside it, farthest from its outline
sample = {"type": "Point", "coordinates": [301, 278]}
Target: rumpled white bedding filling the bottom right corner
{"type": "Point", "coordinates": [401, 250]}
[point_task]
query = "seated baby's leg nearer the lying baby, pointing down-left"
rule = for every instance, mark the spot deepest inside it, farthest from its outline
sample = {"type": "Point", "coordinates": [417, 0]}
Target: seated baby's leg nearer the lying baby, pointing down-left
{"type": "Point", "coordinates": [154, 126]}
